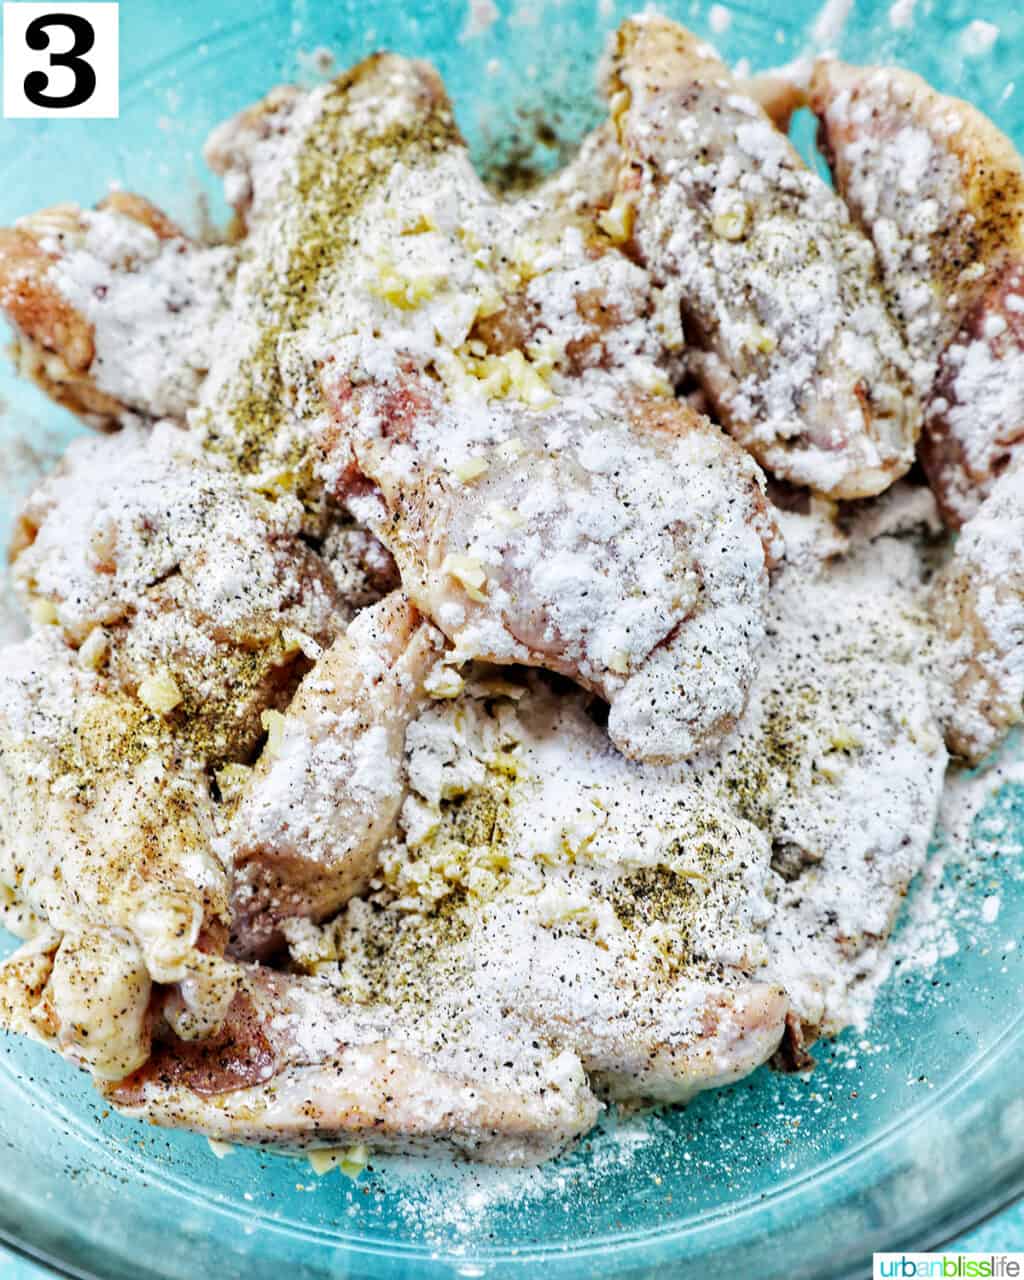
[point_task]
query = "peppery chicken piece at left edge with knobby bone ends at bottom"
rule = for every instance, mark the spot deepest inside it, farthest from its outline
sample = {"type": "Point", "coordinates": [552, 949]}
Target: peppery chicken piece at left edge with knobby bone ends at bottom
{"type": "Point", "coordinates": [107, 828]}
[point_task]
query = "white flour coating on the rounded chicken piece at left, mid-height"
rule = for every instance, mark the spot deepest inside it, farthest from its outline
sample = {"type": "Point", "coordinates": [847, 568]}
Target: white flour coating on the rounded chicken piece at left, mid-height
{"type": "Point", "coordinates": [161, 511]}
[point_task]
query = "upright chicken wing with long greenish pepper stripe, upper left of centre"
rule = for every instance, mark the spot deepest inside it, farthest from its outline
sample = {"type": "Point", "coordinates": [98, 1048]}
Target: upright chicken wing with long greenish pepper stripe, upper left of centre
{"type": "Point", "coordinates": [307, 170]}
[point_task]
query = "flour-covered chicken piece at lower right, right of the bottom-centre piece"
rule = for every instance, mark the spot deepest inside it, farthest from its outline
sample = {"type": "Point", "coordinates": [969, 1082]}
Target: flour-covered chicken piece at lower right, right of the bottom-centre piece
{"type": "Point", "coordinates": [840, 761]}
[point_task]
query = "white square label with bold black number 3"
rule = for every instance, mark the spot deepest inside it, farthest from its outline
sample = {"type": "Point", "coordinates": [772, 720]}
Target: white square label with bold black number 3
{"type": "Point", "coordinates": [61, 61]}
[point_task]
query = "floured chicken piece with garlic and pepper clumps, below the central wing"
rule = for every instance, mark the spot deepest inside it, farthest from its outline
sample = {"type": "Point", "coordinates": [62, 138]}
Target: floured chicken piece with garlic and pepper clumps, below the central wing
{"type": "Point", "coordinates": [606, 909]}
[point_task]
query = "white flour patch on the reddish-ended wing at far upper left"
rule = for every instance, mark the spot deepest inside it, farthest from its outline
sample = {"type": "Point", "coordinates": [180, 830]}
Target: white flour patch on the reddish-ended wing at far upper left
{"type": "Point", "coordinates": [156, 307]}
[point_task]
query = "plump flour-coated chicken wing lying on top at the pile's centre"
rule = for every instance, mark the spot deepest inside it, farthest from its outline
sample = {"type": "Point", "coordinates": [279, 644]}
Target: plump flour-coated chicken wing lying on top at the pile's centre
{"type": "Point", "coordinates": [623, 545]}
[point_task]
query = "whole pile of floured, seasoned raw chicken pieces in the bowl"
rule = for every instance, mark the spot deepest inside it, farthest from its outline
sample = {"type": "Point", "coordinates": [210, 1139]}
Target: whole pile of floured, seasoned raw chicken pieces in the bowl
{"type": "Point", "coordinates": [578, 808]}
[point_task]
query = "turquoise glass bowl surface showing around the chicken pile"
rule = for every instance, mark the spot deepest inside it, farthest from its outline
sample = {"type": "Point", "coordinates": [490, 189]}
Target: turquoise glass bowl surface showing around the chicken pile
{"type": "Point", "coordinates": [906, 1135]}
